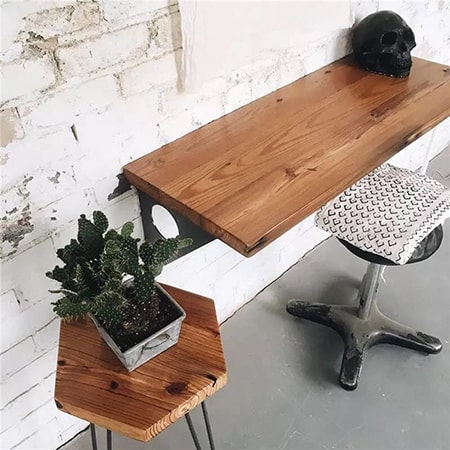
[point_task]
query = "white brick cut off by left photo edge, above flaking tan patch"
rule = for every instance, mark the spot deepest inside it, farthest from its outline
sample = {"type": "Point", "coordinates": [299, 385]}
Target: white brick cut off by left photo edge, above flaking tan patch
{"type": "Point", "coordinates": [20, 78]}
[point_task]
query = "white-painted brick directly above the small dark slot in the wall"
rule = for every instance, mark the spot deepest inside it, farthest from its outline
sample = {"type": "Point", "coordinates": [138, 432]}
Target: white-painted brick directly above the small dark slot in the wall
{"type": "Point", "coordinates": [66, 105]}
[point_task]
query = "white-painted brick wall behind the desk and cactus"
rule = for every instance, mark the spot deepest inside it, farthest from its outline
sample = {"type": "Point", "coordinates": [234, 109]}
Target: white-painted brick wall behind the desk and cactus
{"type": "Point", "coordinates": [88, 86]}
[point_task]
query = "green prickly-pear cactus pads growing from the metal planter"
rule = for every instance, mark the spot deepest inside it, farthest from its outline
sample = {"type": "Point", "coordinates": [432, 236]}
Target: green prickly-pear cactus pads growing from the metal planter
{"type": "Point", "coordinates": [96, 265]}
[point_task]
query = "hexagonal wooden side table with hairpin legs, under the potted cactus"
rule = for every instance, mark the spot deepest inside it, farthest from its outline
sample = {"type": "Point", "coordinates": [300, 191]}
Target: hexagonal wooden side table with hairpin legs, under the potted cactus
{"type": "Point", "coordinates": [92, 384]}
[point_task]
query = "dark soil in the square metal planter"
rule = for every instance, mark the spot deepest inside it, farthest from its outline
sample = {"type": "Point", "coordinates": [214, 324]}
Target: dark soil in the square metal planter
{"type": "Point", "coordinates": [141, 321]}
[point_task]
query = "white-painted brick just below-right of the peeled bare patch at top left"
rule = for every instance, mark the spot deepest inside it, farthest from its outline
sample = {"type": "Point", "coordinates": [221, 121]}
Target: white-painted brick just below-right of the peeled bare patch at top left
{"type": "Point", "coordinates": [109, 49]}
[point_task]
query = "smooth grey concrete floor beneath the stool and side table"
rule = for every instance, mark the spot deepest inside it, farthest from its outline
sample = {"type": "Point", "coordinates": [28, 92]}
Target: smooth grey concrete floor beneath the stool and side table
{"type": "Point", "coordinates": [283, 391]}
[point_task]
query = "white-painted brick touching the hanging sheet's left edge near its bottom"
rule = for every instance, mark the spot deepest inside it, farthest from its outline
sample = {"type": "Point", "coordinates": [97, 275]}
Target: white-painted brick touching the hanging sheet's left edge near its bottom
{"type": "Point", "coordinates": [151, 74]}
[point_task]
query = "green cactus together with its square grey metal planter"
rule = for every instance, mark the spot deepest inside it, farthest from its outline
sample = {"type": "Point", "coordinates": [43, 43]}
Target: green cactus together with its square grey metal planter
{"type": "Point", "coordinates": [110, 277]}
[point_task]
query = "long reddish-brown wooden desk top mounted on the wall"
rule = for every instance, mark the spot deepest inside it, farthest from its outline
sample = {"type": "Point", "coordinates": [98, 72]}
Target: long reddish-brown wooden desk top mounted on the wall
{"type": "Point", "coordinates": [251, 175]}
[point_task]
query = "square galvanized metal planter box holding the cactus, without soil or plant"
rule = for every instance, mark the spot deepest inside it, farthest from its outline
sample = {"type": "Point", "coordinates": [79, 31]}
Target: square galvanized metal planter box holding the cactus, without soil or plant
{"type": "Point", "coordinates": [150, 347]}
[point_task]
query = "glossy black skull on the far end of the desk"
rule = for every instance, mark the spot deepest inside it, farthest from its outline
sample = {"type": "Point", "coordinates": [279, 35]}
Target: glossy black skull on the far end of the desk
{"type": "Point", "coordinates": [382, 43]}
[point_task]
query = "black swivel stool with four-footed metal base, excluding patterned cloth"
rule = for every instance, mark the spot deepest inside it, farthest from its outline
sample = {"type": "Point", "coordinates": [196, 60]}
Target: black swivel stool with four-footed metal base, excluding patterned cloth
{"type": "Point", "coordinates": [365, 325]}
